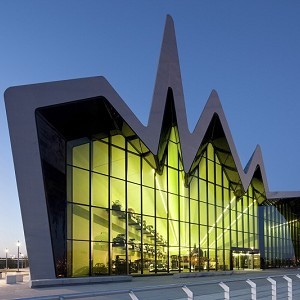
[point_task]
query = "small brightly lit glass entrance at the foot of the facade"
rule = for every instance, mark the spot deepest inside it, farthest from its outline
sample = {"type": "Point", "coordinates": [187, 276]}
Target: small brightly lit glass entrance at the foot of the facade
{"type": "Point", "coordinates": [245, 259]}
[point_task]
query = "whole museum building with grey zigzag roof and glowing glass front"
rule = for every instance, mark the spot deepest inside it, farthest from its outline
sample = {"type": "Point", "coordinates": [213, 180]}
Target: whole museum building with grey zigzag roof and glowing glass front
{"type": "Point", "coordinates": [102, 194]}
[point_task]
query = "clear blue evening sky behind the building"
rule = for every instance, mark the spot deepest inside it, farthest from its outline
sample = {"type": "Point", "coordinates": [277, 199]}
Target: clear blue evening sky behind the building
{"type": "Point", "coordinates": [249, 51]}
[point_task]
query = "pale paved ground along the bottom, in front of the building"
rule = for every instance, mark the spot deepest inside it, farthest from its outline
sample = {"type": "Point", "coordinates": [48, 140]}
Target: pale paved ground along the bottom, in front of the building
{"type": "Point", "coordinates": [145, 288]}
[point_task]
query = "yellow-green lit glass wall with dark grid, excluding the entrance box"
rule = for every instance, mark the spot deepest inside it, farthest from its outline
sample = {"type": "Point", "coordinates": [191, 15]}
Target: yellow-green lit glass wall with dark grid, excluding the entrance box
{"type": "Point", "coordinates": [125, 217]}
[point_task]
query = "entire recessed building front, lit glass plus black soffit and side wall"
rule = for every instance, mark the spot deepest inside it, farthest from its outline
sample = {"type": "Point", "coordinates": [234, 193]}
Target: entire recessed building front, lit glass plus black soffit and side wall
{"type": "Point", "coordinates": [116, 208]}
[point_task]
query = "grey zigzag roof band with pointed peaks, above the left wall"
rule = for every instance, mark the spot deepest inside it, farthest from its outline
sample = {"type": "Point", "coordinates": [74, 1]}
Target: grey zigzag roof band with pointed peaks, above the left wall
{"type": "Point", "coordinates": [168, 77]}
